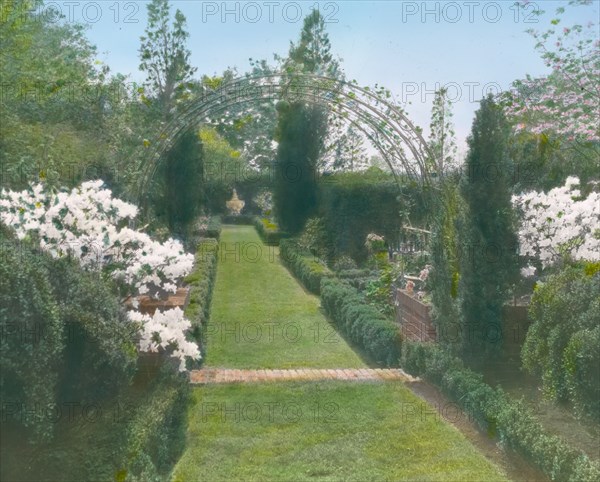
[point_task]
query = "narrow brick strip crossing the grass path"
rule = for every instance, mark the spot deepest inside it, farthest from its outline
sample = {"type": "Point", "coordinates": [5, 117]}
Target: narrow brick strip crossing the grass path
{"type": "Point", "coordinates": [229, 375]}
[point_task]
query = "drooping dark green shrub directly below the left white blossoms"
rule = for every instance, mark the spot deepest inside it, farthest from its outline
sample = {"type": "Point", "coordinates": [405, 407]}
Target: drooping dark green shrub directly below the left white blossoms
{"type": "Point", "coordinates": [100, 351]}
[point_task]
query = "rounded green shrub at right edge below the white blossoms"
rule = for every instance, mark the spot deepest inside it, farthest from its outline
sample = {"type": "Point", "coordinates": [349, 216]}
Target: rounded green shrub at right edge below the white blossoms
{"type": "Point", "coordinates": [562, 344]}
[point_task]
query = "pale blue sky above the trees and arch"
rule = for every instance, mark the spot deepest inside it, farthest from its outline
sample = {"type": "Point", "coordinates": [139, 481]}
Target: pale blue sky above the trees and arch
{"type": "Point", "coordinates": [411, 47]}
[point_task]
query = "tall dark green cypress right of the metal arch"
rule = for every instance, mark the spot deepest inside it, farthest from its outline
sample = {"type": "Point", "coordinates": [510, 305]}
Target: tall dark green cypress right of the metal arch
{"type": "Point", "coordinates": [487, 239]}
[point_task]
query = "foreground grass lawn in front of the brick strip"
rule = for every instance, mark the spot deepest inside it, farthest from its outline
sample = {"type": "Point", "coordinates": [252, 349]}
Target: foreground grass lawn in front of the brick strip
{"type": "Point", "coordinates": [332, 430]}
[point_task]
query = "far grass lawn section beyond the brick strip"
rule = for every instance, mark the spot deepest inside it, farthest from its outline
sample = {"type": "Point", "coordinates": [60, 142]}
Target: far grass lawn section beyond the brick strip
{"type": "Point", "coordinates": [262, 318]}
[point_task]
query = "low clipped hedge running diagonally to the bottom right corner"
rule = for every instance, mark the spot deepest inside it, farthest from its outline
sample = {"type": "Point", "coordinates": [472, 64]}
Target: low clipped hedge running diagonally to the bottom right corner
{"type": "Point", "coordinates": [510, 420]}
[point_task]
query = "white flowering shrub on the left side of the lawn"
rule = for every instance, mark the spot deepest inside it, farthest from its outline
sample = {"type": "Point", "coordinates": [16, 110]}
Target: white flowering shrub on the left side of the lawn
{"type": "Point", "coordinates": [85, 223]}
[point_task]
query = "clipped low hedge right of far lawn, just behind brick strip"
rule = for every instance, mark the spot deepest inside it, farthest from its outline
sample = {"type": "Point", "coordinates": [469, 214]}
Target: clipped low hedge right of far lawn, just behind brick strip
{"type": "Point", "coordinates": [362, 323]}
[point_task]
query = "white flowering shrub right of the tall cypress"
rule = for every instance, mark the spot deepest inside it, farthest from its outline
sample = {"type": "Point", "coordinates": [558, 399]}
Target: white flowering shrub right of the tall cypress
{"type": "Point", "coordinates": [559, 223]}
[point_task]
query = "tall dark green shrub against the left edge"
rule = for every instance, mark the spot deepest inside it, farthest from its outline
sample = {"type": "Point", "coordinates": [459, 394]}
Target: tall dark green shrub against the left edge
{"type": "Point", "coordinates": [29, 364]}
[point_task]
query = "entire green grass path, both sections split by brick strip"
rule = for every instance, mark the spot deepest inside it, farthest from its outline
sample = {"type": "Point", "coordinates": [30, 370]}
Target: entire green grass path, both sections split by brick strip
{"type": "Point", "coordinates": [291, 431]}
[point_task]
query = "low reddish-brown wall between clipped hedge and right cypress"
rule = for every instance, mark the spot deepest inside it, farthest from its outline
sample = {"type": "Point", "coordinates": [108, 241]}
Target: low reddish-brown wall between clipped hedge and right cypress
{"type": "Point", "coordinates": [414, 318]}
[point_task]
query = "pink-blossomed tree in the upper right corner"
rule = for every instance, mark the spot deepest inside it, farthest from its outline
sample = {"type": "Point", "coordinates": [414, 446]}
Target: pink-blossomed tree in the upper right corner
{"type": "Point", "coordinates": [556, 116]}
